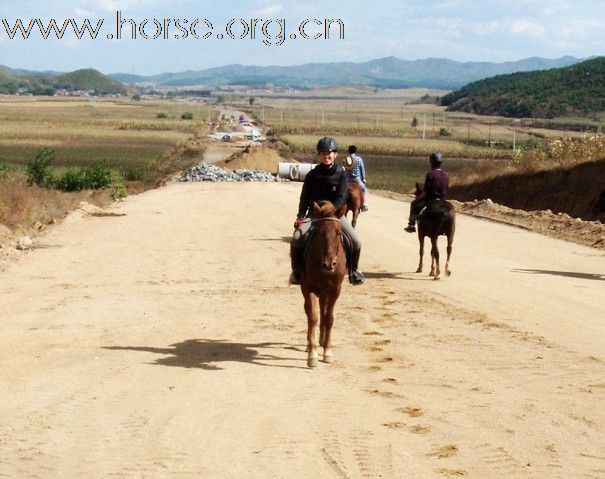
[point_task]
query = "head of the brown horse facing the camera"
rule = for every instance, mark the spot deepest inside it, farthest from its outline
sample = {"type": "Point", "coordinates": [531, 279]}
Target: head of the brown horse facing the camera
{"type": "Point", "coordinates": [327, 239]}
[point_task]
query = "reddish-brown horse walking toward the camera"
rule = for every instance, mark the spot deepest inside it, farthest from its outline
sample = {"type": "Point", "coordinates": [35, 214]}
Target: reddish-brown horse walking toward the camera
{"type": "Point", "coordinates": [321, 279]}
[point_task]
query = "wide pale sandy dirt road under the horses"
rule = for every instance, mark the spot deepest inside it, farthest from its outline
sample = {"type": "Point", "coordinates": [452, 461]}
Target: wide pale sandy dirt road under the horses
{"type": "Point", "coordinates": [165, 342]}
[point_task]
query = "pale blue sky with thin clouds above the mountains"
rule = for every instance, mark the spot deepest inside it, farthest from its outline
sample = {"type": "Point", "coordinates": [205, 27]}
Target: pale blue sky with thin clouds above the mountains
{"type": "Point", "coordinates": [462, 30]}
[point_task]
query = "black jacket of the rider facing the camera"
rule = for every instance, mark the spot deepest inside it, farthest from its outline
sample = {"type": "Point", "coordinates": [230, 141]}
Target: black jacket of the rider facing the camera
{"type": "Point", "coordinates": [323, 183]}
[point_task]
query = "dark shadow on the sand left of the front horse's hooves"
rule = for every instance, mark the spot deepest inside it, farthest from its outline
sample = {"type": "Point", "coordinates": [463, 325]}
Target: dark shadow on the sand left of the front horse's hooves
{"type": "Point", "coordinates": [209, 353]}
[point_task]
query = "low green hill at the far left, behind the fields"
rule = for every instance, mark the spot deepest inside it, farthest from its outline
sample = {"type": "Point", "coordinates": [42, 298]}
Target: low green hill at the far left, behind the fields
{"type": "Point", "coordinates": [47, 83]}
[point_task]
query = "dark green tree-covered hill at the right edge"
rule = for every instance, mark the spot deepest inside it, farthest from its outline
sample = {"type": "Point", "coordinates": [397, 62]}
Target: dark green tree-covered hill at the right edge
{"type": "Point", "coordinates": [577, 90]}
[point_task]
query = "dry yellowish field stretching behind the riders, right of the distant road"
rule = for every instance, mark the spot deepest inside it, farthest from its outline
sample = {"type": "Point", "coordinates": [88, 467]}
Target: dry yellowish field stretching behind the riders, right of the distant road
{"type": "Point", "coordinates": [395, 131]}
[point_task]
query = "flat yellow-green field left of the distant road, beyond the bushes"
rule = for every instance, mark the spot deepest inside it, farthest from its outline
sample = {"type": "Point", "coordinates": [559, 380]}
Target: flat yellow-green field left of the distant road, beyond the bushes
{"type": "Point", "coordinates": [124, 133]}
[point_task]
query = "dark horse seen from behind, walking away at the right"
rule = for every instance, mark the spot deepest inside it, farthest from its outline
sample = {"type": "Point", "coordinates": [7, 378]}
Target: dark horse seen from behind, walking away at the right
{"type": "Point", "coordinates": [437, 219]}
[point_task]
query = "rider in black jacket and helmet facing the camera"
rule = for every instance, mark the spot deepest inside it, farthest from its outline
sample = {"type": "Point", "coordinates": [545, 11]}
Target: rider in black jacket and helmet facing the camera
{"type": "Point", "coordinates": [327, 181]}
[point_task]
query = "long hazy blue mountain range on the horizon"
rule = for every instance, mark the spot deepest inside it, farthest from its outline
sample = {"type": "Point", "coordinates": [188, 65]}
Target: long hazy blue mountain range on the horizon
{"type": "Point", "coordinates": [388, 72]}
